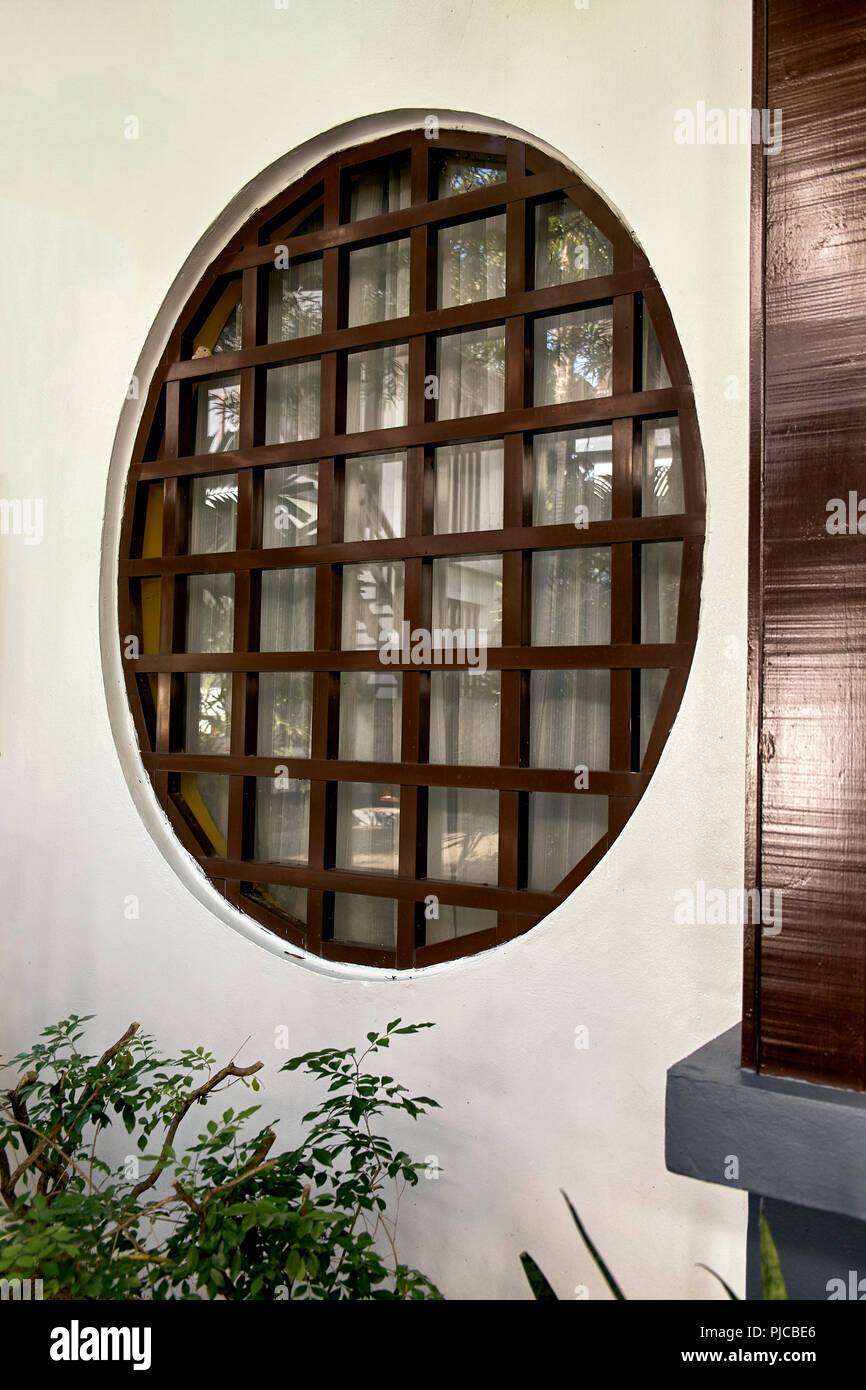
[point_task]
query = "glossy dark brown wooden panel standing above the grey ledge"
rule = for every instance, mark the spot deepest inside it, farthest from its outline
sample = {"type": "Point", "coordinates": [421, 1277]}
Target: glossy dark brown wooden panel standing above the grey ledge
{"type": "Point", "coordinates": [806, 988]}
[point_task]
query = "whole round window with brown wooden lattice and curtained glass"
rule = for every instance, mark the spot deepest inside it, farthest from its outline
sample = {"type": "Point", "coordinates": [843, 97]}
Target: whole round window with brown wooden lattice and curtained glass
{"type": "Point", "coordinates": [412, 550]}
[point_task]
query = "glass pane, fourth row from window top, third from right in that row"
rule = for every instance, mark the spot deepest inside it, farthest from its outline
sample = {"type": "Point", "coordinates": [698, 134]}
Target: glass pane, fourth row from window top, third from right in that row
{"type": "Point", "coordinates": [469, 480]}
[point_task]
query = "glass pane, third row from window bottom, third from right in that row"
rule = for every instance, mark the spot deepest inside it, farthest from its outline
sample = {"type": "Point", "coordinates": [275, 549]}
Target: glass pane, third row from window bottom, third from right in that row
{"type": "Point", "coordinates": [465, 718]}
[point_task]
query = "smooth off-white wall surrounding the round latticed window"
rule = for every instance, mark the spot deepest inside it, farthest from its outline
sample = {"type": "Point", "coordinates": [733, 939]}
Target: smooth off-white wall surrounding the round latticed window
{"type": "Point", "coordinates": [95, 230]}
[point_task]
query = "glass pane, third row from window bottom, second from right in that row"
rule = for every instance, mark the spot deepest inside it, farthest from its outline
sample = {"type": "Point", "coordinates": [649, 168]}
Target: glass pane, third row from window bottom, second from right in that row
{"type": "Point", "coordinates": [571, 719]}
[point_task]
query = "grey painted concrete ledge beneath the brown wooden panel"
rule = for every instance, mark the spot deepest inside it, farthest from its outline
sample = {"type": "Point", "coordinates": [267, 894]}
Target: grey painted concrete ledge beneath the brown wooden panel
{"type": "Point", "coordinates": [790, 1140]}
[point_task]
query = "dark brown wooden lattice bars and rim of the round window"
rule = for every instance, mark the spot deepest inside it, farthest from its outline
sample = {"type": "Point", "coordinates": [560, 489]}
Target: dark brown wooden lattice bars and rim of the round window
{"type": "Point", "coordinates": [163, 455]}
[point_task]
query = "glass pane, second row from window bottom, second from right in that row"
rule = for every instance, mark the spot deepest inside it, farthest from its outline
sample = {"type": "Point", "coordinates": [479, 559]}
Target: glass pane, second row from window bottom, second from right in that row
{"type": "Point", "coordinates": [464, 835]}
